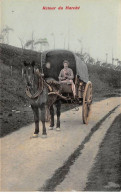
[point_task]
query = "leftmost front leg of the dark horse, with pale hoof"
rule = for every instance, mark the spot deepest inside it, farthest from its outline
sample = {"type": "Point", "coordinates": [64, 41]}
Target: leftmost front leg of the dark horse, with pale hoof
{"type": "Point", "coordinates": [36, 120]}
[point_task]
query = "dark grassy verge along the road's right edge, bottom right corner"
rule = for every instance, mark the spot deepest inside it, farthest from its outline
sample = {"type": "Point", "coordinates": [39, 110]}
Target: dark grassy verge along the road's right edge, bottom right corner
{"type": "Point", "coordinates": [106, 172]}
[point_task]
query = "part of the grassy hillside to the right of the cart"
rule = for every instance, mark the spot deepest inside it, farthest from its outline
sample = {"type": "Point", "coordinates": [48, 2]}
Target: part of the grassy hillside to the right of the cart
{"type": "Point", "coordinates": [106, 82]}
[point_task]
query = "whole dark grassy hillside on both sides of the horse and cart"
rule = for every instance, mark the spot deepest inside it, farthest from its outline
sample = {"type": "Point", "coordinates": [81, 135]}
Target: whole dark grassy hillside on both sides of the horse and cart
{"type": "Point", "coordinates": [15, 111]}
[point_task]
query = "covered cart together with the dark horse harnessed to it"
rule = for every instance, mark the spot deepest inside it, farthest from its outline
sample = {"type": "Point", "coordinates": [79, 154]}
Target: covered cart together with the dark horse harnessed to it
{"type": "Point", "coordinates": [44, 87]}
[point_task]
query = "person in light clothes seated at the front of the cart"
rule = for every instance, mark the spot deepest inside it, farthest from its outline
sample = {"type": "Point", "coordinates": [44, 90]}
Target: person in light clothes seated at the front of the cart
{"type": "Point", "coordinates": [66, 76]}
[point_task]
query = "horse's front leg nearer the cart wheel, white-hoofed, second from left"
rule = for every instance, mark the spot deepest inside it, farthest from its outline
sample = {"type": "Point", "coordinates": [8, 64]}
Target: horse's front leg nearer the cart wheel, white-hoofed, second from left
{"type": "Point", "coordinates": [43, 113]}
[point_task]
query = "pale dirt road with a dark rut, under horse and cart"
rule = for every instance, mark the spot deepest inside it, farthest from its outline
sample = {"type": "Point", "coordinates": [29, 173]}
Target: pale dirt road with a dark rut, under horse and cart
{"type": "Point", "coordinates": [53, 164]}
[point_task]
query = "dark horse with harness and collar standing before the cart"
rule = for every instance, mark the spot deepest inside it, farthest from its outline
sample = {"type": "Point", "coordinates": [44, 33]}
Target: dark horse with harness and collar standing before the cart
{"type": "Point", "coordinates": [42, 95]}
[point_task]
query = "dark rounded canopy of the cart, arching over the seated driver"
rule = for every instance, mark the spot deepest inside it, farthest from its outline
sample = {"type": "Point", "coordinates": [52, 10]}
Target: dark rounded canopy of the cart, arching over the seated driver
{"type": "Point", "coordinates": [56, 58]}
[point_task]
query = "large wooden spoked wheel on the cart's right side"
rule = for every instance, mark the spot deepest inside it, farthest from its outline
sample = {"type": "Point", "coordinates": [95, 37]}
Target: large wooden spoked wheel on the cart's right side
{"type": "Point", "coordinates": [87, 101]}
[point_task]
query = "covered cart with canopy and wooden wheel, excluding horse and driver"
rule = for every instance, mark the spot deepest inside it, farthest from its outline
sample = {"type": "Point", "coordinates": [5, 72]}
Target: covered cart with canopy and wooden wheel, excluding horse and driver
{"type": "Point", "coordinates": [52, 64]}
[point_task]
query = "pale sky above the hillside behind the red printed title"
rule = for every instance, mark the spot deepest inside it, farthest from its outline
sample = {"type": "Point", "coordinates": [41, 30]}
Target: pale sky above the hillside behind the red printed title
{"type": "Point", "coordinates": [97, 23]}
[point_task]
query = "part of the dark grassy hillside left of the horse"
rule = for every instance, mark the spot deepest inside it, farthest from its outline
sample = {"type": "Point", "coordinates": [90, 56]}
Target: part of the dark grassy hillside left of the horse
{"type": "Point", "coordinates": [15, 111]}
